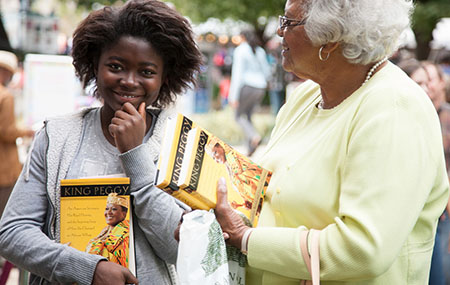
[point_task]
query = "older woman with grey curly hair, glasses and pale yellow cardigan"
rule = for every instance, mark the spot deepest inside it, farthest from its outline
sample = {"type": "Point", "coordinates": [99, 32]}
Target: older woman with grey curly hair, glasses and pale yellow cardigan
{"type": "Point", "coordinates": [359, 177]}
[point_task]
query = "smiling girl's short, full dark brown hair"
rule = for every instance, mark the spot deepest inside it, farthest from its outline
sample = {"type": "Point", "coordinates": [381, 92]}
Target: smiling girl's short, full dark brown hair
{"type": "Point", "coordinates": [165, 29]}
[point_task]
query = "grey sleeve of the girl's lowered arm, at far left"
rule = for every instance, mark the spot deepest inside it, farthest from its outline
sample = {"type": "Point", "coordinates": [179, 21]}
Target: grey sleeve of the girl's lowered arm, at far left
{"type": "Point", "coordinates": [22, 237]}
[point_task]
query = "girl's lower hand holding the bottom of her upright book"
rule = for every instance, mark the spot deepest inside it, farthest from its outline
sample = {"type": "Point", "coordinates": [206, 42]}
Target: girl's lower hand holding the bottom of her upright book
{"type": "Point", "coordinates": [112, 273]}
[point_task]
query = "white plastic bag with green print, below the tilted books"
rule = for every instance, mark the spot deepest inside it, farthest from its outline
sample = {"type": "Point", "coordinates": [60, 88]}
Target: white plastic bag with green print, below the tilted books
{"type": "Point", "coordinates": [202, 253]}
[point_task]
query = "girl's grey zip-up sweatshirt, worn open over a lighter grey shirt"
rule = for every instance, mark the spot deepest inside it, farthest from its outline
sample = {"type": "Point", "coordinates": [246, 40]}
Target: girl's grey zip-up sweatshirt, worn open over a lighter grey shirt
{"type": "Point", "coordinates": [29, 228]}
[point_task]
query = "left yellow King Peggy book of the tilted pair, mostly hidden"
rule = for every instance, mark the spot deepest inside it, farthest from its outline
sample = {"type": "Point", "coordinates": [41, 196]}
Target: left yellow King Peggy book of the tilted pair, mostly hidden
{"type": "Point", "coordinates": [171, 158]}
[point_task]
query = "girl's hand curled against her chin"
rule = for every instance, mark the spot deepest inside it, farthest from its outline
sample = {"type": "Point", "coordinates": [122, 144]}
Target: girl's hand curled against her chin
{"type": "Point", "coordinates": [128, 127]}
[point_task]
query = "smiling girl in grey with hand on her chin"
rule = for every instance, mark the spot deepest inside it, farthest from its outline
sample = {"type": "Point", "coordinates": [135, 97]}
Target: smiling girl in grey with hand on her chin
{"type": "Point", "coordinates": [137, 56]}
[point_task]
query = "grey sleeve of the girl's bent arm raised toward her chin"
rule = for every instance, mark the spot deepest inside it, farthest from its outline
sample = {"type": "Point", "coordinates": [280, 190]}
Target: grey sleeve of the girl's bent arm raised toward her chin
{"type": "Point", "coordinates": [157, 213]}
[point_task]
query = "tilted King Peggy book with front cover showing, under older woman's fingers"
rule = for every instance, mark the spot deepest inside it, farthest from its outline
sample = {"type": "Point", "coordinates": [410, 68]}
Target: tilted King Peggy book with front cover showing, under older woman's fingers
{"type": "Point", "coordinates": [206, 159]}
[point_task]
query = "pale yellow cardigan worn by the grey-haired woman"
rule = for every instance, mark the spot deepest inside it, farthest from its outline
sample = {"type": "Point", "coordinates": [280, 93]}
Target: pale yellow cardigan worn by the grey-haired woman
{"type": "Point", "coordinates": [369, 173]}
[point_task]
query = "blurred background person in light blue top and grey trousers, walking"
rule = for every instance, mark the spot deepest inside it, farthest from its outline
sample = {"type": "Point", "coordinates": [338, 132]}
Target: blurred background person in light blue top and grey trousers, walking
{"type": "Point", "coordinates": [249, 75]}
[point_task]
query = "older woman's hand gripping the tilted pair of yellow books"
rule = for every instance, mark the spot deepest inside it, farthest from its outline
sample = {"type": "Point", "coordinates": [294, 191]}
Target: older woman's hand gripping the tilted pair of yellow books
{"type": "Point", "coordinates": [231, 223]}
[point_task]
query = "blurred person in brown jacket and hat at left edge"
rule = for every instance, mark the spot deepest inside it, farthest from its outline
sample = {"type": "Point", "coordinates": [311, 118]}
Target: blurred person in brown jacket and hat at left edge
{"type": "Point", "coordinates": [10, 165]}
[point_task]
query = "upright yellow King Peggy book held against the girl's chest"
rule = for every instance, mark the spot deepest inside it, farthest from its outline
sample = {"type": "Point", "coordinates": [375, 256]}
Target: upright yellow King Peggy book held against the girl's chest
{"type": "Point", "coordinates": [96, 218]}
